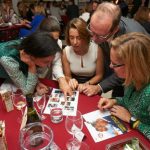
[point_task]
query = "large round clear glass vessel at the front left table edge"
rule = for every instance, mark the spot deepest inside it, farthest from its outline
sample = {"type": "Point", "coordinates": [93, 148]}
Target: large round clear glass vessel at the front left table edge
{"type": "Point", "coordinates": [36, 136]}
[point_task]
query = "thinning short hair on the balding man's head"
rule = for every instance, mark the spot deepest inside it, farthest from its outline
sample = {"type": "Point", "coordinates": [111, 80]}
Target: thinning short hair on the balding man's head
{"type": "Point", "coordinates": [110, 9]}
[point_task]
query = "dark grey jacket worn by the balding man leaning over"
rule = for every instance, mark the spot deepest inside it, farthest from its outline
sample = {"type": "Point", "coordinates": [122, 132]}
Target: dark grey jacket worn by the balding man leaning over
{"type": "Point", "coordinates": [111, 81]}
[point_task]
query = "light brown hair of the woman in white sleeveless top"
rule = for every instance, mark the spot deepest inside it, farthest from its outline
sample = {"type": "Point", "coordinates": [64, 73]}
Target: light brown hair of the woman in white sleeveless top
{"type": "Point", "coordinates": [80, 25]}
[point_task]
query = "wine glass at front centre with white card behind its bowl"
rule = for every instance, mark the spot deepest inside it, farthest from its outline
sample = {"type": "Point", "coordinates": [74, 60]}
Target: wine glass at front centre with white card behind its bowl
{"type": "Point", "coordinates": [74, 124]}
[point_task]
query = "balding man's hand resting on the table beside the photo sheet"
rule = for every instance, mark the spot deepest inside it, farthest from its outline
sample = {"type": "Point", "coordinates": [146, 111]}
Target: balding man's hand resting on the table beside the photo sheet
{"type": "Point", "coordinates": [92, 90]}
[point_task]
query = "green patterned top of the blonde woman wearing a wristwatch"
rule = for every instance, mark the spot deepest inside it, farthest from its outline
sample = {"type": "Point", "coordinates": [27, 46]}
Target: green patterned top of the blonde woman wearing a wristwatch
{"type": "Point", "coordinates": [138, 104]}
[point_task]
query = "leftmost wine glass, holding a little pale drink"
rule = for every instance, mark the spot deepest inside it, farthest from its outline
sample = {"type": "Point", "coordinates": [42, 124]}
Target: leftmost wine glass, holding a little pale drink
{"type": "Point", "coordinates": [19, 101]}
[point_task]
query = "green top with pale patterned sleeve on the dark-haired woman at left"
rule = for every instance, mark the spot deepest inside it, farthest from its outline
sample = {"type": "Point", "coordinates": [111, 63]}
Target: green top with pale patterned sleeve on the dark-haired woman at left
{"type": "Point", "coordinates": [11, 67]}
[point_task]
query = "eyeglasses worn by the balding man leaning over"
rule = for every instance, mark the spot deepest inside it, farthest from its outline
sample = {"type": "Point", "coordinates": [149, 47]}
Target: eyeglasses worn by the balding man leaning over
{"type": "Point", "coordinates": [105, 37]}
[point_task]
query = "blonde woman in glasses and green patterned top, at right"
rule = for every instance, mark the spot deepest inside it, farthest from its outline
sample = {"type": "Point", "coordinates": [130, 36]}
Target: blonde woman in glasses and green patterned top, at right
{"type": "Point", "coordinates": [130, 59]}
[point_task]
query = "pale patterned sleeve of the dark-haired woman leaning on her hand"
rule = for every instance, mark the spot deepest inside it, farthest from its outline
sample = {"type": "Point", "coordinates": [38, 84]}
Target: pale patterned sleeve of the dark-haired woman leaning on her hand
{"type": "Point", "coordinates": [26, 84]}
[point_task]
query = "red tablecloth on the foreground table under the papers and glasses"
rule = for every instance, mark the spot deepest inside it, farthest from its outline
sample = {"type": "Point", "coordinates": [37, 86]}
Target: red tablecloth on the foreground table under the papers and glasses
{"type": "Point", "coordinates": [85, 105]}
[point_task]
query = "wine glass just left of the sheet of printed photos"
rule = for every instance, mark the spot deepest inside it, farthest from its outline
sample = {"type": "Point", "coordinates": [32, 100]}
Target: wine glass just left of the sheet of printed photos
{"type": "Point", "coordinates": [41, 102]}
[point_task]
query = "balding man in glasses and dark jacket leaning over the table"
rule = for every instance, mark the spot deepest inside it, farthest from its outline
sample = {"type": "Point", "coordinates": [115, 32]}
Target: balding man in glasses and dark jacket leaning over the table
{"type": "Point", "coordinates": [106, 23]}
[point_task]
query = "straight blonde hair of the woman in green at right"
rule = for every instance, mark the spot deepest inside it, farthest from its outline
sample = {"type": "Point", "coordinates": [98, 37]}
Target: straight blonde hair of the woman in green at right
{"type": "Point", "coordinates": [134, 50]}
